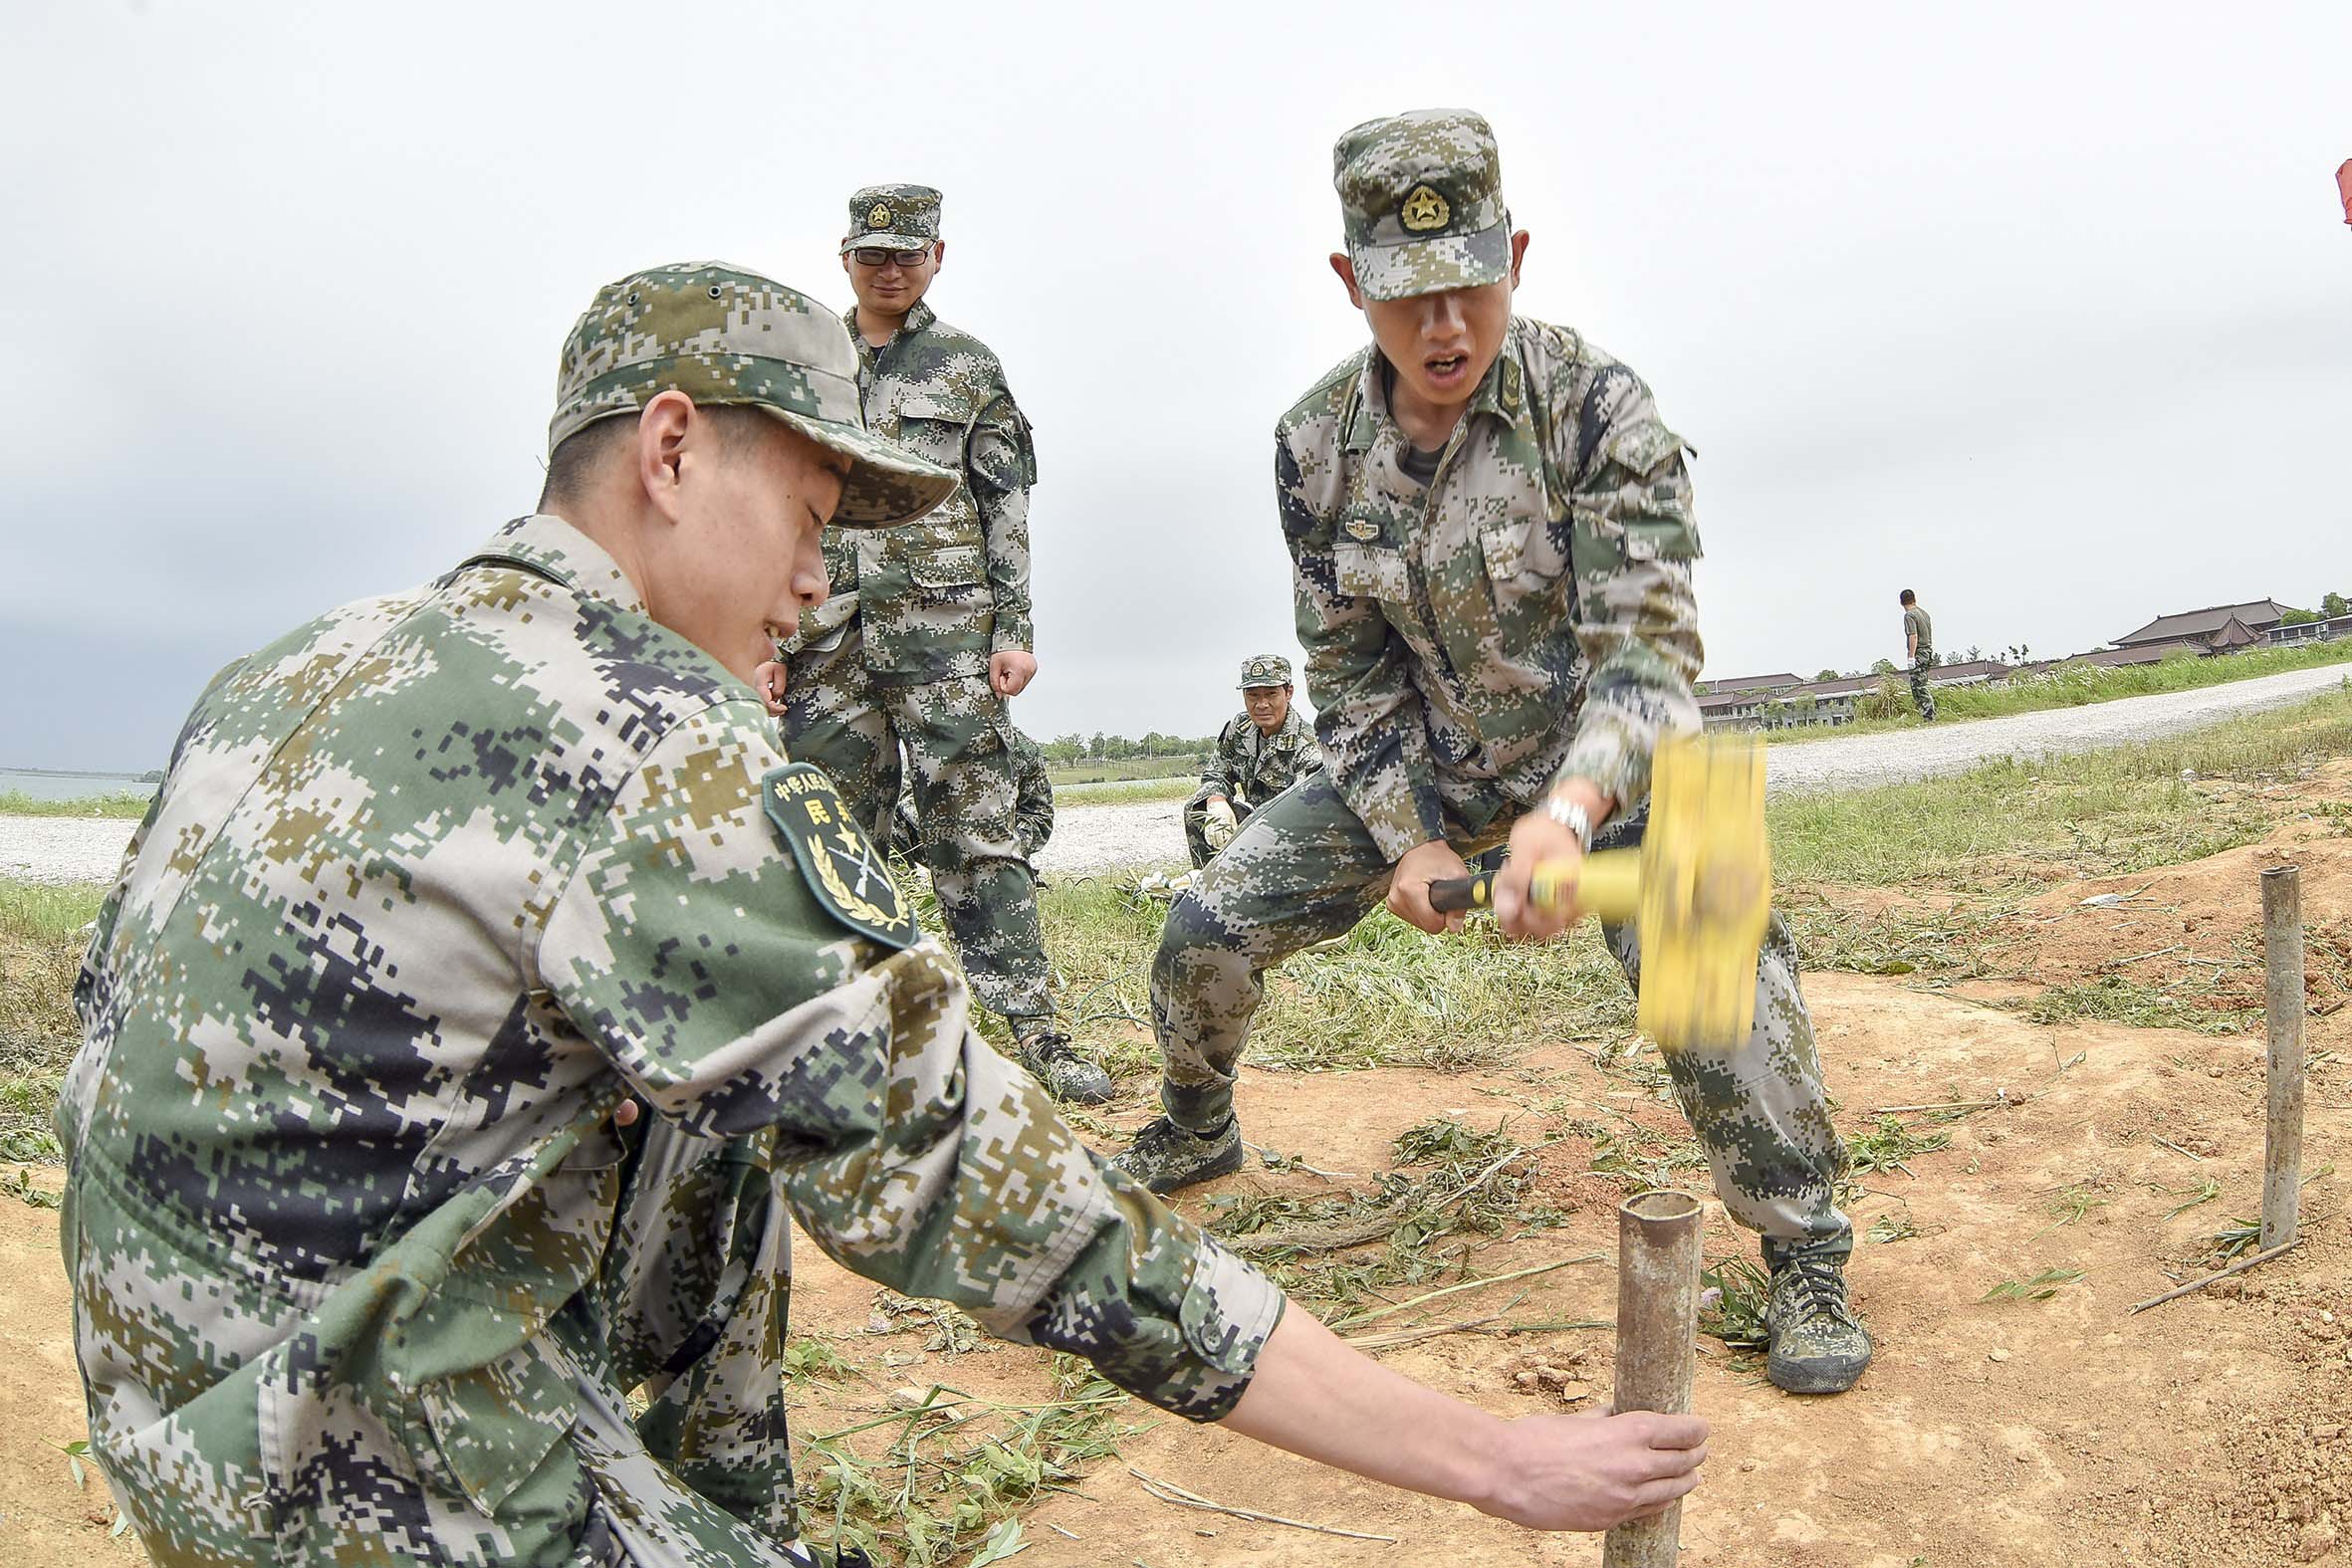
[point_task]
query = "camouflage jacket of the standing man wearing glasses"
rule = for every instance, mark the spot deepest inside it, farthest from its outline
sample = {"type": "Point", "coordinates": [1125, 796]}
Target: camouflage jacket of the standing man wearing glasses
{"type": "Point", "coordinates": [940, 596]}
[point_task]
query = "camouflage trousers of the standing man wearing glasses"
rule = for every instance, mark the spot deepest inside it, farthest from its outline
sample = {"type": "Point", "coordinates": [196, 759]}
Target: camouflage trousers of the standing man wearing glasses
{"type": "Point", "coordinates": [965, 796]}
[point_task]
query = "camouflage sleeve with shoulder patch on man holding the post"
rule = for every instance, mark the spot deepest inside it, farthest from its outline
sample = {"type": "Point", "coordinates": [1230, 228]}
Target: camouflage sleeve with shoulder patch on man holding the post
{"type": "Point", "coordinates": [709, 956]}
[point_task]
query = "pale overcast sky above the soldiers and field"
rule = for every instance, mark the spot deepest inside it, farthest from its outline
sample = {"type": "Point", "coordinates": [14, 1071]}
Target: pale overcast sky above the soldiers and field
{"type": "Point", "coordinates": [2047, 319]}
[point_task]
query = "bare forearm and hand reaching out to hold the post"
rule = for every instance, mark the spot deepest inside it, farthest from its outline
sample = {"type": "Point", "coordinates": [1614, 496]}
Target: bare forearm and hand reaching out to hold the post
{"type": "Point", "coordinates": [1325, 1400]}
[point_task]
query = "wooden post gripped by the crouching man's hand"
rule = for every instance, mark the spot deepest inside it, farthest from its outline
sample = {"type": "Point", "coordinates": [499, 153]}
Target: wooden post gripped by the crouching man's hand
{"type": "Point", "coordinates": [1659, 1242]}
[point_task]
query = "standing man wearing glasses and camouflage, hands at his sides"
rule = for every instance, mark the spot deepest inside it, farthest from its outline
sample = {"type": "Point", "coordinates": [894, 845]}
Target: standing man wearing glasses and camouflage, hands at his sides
{"type": "Point", "coordinates": [928, 629]}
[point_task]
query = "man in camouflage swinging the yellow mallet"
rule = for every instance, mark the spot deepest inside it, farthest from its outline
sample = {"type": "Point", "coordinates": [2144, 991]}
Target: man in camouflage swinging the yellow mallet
{"type": "Point", "coordinates": [1492, 558]}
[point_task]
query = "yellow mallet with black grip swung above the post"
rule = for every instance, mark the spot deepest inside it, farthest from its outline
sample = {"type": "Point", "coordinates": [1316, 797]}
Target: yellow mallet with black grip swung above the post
{"type": "Point", "coordinates": [1697, 890]}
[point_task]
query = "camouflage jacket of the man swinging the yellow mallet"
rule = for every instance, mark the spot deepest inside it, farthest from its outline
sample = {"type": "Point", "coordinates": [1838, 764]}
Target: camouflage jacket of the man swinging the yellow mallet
{"type": "Point", "coordinates": [1521, 619]}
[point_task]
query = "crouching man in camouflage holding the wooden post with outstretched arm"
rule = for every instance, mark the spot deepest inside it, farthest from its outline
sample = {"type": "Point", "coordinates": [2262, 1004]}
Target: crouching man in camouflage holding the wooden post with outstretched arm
{"type": "Point", "coordinates": [486, 998]}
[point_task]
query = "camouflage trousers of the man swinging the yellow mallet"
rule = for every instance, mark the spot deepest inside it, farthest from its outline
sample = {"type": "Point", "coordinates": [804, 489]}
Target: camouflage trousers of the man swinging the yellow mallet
{"type": "Point", "coordinates": [1304, 871]}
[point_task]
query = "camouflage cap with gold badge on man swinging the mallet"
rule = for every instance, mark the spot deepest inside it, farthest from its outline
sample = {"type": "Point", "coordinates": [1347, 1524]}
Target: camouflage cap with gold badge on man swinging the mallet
{"type": "Point", "coordinates": [1424, 203]}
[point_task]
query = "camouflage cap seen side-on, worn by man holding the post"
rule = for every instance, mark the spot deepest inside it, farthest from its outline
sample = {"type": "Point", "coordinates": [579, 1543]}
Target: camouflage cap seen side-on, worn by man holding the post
{"type": "Point", "coordinates": [723, 335]}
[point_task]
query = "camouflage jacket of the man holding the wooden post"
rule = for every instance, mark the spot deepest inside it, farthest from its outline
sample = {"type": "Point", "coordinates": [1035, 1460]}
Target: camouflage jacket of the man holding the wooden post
{"type": "Point", "coordinates": [432, 885]}
